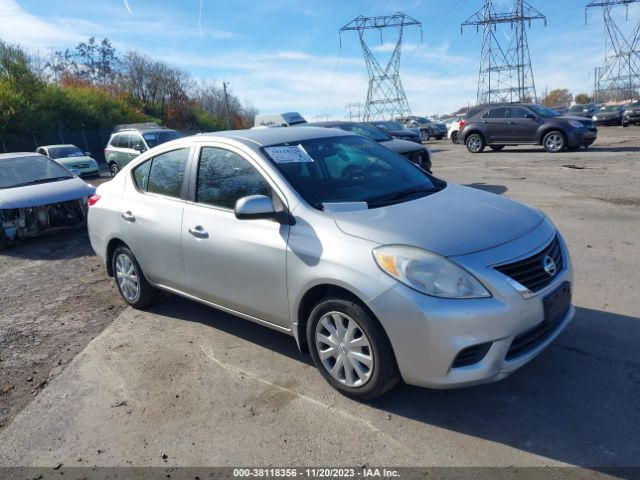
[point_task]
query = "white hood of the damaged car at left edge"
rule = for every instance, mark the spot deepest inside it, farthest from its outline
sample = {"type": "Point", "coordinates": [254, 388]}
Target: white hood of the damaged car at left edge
{"type": "Point", "coordinates": [45, 193]}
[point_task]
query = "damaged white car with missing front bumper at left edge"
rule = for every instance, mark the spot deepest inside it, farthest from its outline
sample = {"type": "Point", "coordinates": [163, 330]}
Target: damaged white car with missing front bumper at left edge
{"type": "Point", "coordinates": [36, 195]}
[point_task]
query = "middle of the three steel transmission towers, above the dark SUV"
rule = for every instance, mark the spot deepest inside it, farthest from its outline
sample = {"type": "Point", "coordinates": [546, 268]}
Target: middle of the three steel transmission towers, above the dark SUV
{"type": "Point", "coordinates": [505, 72]}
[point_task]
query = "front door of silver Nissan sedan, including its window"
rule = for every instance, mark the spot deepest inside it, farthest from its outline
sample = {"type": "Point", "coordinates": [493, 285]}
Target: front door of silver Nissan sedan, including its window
{"type": "Point", "coordinates": [237, 264]}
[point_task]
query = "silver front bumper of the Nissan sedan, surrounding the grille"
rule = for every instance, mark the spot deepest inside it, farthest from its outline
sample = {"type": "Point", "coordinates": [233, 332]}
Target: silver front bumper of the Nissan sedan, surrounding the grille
{"type": "Point", "coordinates": [428, 333]}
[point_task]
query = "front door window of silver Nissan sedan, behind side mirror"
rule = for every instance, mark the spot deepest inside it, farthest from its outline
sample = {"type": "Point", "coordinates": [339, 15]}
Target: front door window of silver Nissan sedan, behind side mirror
{"type": "Point", "coordinates": [224, 177]}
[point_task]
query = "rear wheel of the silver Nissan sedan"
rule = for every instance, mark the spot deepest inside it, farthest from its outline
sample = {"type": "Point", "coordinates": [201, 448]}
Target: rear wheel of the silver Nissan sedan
{"type": "Point", "coordinates": [132, 286]}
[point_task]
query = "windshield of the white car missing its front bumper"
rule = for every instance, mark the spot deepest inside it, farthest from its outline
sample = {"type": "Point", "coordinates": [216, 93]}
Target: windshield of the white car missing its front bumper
{"type": "Point", "coordinates": [31, 170]}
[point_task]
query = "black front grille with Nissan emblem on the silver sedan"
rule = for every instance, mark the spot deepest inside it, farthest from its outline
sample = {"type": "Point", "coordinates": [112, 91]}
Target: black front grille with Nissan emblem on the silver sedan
{"type": "Point", "coordinates": [531, 271]}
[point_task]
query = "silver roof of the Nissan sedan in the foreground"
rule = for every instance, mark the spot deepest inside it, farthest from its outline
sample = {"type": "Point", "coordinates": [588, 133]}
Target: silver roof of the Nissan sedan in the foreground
{"type": "Point", "coordinates": [274, 136]}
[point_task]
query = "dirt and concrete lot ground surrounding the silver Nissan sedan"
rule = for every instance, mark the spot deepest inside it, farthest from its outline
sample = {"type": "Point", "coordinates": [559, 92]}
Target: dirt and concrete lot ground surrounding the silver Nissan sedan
{"type": "Point", "coordinates": [203, 386]}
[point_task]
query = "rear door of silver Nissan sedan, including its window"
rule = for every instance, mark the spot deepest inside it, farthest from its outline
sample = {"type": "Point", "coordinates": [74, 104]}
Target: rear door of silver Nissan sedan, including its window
{"type": "Point", "coordinates": [151, 216]}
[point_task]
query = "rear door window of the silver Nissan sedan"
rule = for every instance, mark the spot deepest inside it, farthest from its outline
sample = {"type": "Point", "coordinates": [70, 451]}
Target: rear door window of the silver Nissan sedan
{"type": "Point", "coordinates": [163, 174]}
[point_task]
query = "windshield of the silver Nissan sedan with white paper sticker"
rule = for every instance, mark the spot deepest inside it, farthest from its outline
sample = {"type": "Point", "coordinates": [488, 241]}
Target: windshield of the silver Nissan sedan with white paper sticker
{"type": "Point", "coordinates": [350, 169]}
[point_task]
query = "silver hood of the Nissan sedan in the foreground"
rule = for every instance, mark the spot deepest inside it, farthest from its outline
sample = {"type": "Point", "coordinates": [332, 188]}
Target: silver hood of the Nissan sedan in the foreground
{"type": "Point", "coordinates": [456, 221]}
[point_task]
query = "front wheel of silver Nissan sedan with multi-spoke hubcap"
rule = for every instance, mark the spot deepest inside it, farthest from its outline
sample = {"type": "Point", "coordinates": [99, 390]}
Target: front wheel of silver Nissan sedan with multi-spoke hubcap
{"type": "Point", "coordinates": [383, 374]}
